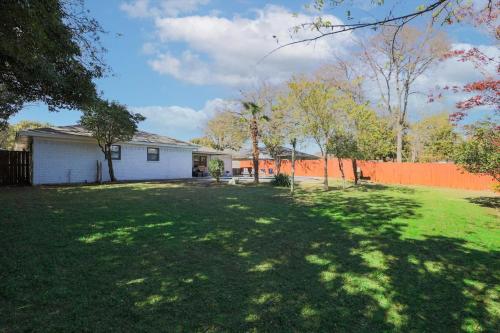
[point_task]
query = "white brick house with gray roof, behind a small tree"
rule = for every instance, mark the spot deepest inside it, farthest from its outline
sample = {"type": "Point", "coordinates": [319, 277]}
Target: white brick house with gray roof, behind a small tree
{"type": "Point", "coordinates": [69, 154]}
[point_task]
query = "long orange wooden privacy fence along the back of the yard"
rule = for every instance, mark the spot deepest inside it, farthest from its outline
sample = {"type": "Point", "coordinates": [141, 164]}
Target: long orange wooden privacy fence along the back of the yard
{"type": "Point", "coordinates": [431, 174]}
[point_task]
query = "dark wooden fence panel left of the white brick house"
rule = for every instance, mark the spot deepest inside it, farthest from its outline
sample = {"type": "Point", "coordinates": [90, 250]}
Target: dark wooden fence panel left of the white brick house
{"type": "Point", "coordinates": [15, 167]}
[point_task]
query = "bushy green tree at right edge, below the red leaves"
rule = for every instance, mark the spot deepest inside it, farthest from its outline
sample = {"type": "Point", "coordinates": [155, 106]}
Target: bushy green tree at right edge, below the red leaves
{"type": "Point", "coordinates": [480, 152]}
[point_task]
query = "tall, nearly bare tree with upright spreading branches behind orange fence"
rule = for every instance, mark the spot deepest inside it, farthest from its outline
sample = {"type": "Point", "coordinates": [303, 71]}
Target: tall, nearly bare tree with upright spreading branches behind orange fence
{"type": "Point", "coordinates": [397, 57]}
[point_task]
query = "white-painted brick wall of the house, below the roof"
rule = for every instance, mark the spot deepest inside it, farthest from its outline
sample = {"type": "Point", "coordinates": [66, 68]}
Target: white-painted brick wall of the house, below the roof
{"type": "Point", "coordinates": [57, 161]}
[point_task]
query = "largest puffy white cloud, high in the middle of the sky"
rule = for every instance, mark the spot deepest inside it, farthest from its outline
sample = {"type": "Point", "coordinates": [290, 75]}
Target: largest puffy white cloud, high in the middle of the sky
{"type": "Point", "coordinates": [227, 50]}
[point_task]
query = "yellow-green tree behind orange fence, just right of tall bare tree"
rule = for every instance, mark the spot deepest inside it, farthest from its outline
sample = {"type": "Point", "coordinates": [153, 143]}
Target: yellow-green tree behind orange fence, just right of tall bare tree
{"type": "Point", "coordinates": [433, 139]}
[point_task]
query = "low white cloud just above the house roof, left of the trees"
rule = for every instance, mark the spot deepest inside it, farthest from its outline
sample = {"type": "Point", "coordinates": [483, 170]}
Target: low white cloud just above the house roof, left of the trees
{"type": "Point", "coordinates": [176, 121]}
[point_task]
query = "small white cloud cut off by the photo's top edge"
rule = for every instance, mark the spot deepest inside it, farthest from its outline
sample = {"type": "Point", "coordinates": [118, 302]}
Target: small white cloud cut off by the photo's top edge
{"type": "Point", "coordinates": [145, 8]}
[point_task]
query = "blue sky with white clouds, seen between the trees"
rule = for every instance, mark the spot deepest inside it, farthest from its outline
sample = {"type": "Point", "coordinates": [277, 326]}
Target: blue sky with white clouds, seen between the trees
{"type": "Point", "coordinates": [175, 61]}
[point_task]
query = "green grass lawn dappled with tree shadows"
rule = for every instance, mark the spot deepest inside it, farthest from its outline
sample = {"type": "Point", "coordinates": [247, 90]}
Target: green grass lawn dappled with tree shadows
{"type": "Point", "coordinates": [185, 257]}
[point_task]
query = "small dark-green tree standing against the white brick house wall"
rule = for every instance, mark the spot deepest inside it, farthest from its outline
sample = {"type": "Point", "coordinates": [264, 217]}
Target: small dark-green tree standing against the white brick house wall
{"type": "Point", "coordinates": [109, 123]}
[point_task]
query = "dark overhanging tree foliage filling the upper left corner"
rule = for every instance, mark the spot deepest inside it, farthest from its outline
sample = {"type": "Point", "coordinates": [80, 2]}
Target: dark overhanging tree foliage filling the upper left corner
{"type": "Point", "coordinates": [49, 52]}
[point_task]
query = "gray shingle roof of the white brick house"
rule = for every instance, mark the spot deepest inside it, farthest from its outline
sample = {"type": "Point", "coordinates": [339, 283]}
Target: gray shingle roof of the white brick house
{"type": "Point", "coordinates": [139, 137]}
